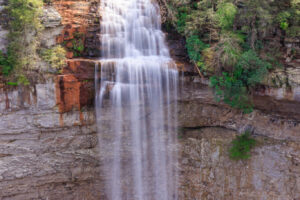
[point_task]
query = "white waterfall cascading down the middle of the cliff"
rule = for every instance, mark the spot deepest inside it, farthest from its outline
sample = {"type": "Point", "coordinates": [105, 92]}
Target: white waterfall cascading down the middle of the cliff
{"type": "Point", "coordinates": [136, 91]}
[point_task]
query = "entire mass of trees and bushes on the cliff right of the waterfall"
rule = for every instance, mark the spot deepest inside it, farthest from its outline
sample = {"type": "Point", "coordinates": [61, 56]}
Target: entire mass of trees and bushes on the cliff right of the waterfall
{"type": "Point", "coordinates": [228, 41]}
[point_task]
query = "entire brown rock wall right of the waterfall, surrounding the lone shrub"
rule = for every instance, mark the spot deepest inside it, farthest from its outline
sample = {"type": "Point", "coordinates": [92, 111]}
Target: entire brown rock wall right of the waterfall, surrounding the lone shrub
{"type": "Point", "coordinates": [207, 129]}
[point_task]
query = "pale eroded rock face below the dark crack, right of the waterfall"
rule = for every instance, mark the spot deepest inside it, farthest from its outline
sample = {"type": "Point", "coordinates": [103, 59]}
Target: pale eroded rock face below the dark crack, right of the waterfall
{"type": "Point", "coordinates": [208, 173]}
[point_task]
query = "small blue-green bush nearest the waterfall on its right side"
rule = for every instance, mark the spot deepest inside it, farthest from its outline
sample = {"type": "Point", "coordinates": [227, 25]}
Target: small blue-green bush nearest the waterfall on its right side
{"type": "Point", "coordinates": [195, 47]}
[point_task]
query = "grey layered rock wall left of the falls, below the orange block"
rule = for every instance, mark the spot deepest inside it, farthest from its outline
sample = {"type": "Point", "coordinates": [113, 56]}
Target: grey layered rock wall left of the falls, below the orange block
{"type": "Point", "coordinates": [46, 154]}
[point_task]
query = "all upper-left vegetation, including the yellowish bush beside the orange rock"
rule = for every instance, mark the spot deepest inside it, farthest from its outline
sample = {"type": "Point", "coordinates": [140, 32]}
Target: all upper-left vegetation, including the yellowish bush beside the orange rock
{"type": "Point", "coordinates": [23, 51]}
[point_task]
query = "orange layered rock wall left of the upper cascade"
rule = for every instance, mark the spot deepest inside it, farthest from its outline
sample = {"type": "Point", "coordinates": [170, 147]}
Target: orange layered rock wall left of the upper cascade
{"type": "Point", "coordinates": [81, 25]}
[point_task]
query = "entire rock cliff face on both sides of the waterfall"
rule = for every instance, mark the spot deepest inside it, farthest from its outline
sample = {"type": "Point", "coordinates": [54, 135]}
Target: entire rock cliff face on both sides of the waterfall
{"type": "Point", "coordinates": [48, 133]}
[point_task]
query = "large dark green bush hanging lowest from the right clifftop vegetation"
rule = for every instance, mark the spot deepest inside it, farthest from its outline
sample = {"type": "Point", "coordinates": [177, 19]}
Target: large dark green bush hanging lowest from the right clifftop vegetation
{"type": "Point", "coordinates": [233, 87]}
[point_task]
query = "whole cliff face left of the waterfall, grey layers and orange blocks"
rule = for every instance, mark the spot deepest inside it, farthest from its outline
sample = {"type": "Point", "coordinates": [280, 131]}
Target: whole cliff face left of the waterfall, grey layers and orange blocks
{"type": "Point", "coordinates": [47, 130]}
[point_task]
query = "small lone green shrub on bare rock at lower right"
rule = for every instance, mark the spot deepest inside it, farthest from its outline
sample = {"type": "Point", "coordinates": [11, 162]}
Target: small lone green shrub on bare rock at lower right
{"type": "Point", "coordinates": [241, 146]}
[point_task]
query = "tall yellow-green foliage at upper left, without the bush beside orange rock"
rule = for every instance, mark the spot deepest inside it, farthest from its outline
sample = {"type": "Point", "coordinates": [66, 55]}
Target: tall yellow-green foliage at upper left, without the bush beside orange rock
{"type": "Point", "coordinates": [24, 29]}
